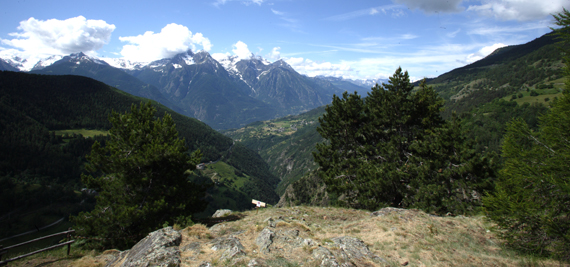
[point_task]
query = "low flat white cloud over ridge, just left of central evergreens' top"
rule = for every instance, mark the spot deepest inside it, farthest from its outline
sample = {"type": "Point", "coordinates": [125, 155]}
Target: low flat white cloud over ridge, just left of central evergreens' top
{"type": "Point", "coordinates": [312, 68]}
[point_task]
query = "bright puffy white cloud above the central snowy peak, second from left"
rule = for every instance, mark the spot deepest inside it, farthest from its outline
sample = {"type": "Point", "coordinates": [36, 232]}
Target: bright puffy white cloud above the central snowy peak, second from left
{"type": "Point", "coordinates": [171, 40]}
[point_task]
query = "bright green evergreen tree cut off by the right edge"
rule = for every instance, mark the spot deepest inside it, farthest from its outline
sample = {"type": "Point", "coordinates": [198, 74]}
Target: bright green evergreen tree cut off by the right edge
{"type": "Point", "coordinates": [531, 204]}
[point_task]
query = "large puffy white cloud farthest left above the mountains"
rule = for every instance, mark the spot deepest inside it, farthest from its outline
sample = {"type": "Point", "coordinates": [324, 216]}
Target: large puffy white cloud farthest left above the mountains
{"type": "Point", "coordinates": [60, 37]}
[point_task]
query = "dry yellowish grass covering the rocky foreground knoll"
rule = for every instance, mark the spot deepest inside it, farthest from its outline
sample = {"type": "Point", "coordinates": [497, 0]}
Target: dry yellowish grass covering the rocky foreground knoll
{"type": "Point", "coordinates": [409, 237]}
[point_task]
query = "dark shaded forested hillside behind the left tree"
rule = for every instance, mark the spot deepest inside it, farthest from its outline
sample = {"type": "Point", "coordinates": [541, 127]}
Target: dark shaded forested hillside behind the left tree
{"type": "Point", "coordinates": [41, 161]}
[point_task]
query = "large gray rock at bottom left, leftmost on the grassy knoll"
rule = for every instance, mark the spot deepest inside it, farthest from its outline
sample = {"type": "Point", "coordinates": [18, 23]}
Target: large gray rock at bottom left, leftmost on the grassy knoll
{"type": "Point", "coordinates": [159, 248]}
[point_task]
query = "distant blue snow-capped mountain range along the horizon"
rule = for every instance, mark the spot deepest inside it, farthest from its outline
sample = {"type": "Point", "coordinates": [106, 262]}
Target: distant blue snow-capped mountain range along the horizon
{"type": "Point", "coordinates": [224, 92]}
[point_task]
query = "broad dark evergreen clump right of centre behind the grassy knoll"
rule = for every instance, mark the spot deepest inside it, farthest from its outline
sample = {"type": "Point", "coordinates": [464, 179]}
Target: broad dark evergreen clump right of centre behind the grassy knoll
{"type": "Point", "coordinates": [393, 148]}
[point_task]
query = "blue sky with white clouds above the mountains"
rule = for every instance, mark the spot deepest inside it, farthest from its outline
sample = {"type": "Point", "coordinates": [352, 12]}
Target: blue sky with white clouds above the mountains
{"type": "Point", "coordinates": [352, 39]}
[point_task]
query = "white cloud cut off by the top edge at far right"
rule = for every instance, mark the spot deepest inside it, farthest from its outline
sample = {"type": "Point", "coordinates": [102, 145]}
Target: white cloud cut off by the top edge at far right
{"type": "Point", "coordinates": [519, 10]}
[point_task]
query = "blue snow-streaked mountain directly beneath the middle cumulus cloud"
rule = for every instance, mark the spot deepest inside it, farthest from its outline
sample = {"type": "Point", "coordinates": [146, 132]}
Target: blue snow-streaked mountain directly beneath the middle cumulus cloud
{"type": "Point", "coordinates": [203, 89]}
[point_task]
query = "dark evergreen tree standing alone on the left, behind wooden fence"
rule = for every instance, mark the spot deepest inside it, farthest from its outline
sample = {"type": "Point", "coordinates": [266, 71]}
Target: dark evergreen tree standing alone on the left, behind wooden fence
{"type": "Point", "coordinates": [141, 180]}
